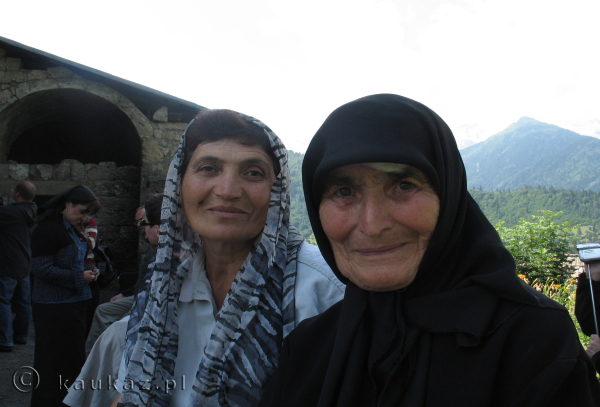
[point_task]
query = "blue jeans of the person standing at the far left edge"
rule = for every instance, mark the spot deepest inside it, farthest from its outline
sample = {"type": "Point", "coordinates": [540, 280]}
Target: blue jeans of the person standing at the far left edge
{"type": "Point", "coordinates": [15, 292]}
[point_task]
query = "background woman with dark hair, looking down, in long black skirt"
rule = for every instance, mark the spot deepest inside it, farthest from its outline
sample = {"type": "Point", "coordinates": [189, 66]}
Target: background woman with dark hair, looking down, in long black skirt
{"type": "Point", "coordinates": [61, 292]}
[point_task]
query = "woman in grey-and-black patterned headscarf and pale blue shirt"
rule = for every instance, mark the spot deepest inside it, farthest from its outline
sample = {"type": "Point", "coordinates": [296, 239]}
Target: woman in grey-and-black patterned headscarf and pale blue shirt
{"type": "Point", "coordinates": [232, 277]}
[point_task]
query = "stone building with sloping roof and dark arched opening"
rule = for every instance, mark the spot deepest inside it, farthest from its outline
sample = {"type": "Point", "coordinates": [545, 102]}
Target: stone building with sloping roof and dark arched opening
{"type": "Point", "coordinates": [64, 124]}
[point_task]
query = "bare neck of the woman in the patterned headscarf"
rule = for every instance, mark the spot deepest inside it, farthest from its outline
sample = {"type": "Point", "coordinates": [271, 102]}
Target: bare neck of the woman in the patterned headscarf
{"type": "Point", "coordinates": [222, 262]}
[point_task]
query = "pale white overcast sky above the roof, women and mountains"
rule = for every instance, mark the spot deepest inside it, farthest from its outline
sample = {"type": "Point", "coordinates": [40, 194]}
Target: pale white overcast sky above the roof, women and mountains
{"type": "Point", "coordinates": [481, 65]}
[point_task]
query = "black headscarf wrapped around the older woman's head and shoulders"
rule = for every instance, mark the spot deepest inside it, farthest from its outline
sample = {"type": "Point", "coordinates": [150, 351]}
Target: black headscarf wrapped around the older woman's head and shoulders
{"type": "Point", "coordinates": [464, 272]}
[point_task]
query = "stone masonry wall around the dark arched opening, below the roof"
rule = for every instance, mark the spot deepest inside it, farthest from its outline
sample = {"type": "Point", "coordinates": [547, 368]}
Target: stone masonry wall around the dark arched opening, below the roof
{"type": "Point", "coordinates": [27, 99]}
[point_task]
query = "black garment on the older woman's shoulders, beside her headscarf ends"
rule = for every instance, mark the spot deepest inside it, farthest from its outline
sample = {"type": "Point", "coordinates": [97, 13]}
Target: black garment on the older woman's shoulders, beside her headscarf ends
{"type": "Point", "coordinates": [498, 371]}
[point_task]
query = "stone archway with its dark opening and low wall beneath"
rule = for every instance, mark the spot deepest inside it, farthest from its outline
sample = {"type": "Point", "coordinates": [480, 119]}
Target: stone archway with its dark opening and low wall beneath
{"type": "Point", "coordinates": [65, 131]}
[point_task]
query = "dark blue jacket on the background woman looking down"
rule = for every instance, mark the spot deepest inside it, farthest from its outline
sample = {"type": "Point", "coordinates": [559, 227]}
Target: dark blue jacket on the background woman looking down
{"type": "Point", "coordinates": [54, 256]}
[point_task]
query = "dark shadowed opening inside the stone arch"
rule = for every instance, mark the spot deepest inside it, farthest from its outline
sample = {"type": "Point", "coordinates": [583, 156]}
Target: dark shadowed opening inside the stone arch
{"type": "Point", "coordinates": [50, 126]}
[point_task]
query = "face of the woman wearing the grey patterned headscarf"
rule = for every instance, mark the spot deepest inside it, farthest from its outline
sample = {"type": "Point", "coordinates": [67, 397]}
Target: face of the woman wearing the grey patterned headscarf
{"type": "Point", "coordinates": [226, 191]}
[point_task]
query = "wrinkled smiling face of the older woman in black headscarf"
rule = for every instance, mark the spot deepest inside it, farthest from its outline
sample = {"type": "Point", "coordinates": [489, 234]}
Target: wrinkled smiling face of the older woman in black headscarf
{"type": "Point", "coordinates": [378, 223]}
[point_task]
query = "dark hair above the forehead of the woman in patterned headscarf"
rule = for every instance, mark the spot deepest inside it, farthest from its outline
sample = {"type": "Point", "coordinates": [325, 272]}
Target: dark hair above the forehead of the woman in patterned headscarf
{"type": "Point", "coordinates": [221, 124]}
